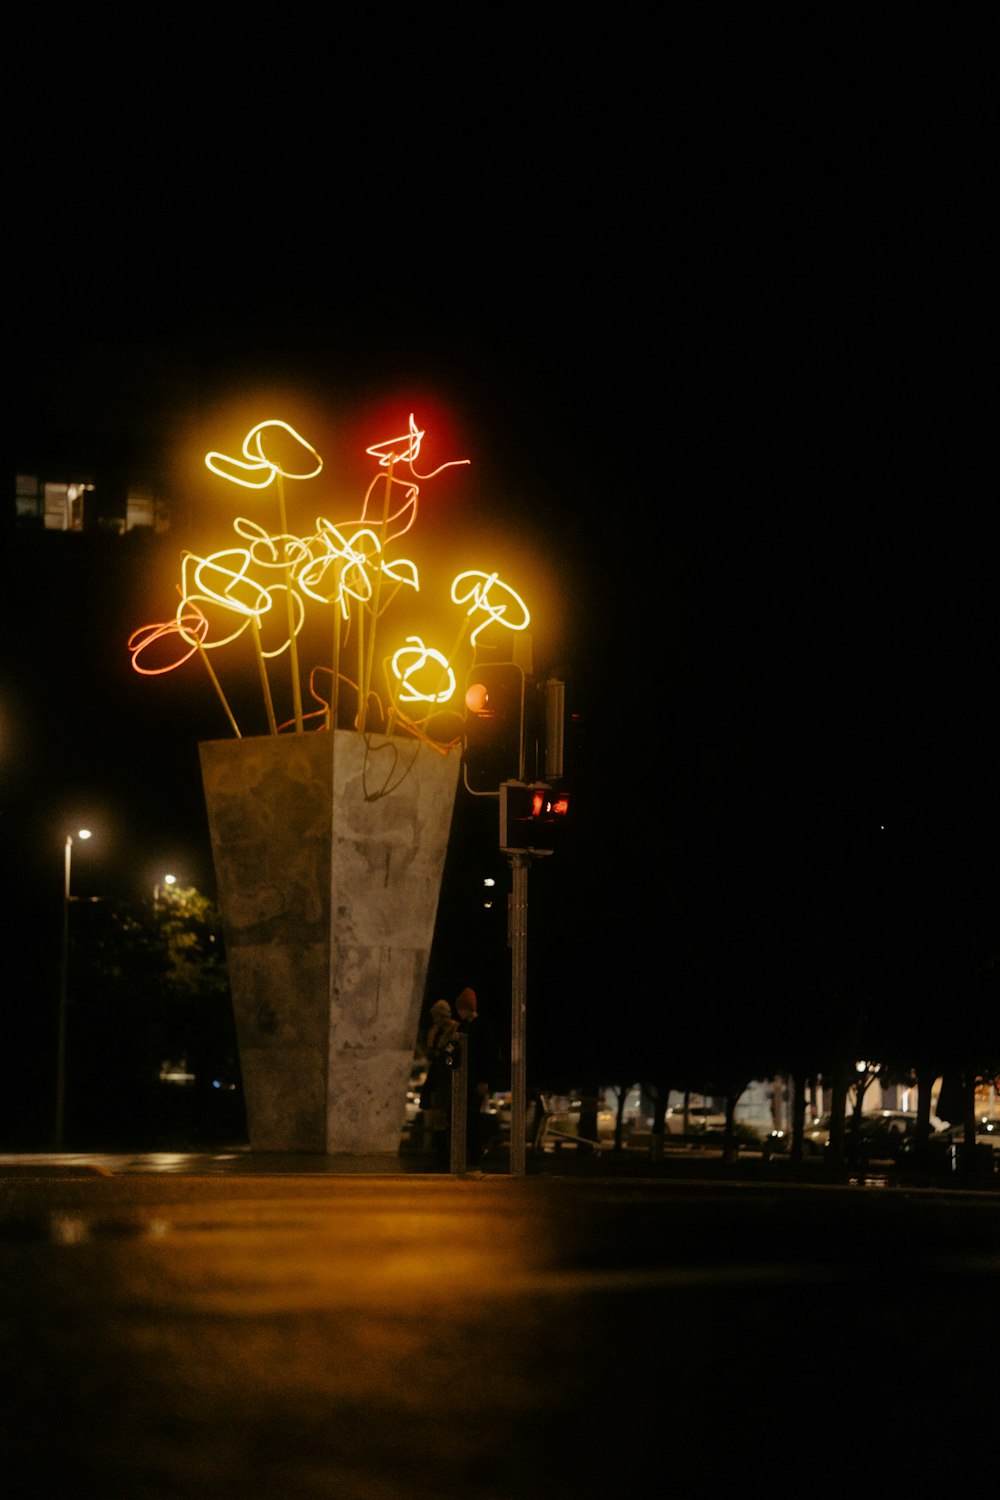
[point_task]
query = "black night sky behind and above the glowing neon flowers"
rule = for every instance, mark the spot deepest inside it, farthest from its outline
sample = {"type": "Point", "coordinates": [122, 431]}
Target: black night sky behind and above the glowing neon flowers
{"type": "Point", "coordinates": [705, 311]}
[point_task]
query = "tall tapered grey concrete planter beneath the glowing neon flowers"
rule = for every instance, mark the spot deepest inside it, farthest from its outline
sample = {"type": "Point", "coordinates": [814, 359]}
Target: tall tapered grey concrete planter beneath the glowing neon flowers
{"type": "Point", "coordinates": [329, 907]}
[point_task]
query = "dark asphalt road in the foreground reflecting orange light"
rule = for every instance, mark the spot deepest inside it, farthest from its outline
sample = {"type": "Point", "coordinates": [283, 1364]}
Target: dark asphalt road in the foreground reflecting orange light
{"type": "Point", "coordinates": [386, 1337]}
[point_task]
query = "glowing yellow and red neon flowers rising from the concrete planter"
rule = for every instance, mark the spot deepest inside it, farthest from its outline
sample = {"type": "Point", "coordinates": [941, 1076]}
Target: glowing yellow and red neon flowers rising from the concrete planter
{"type": "Point", "coordinates": [268, 584]}
